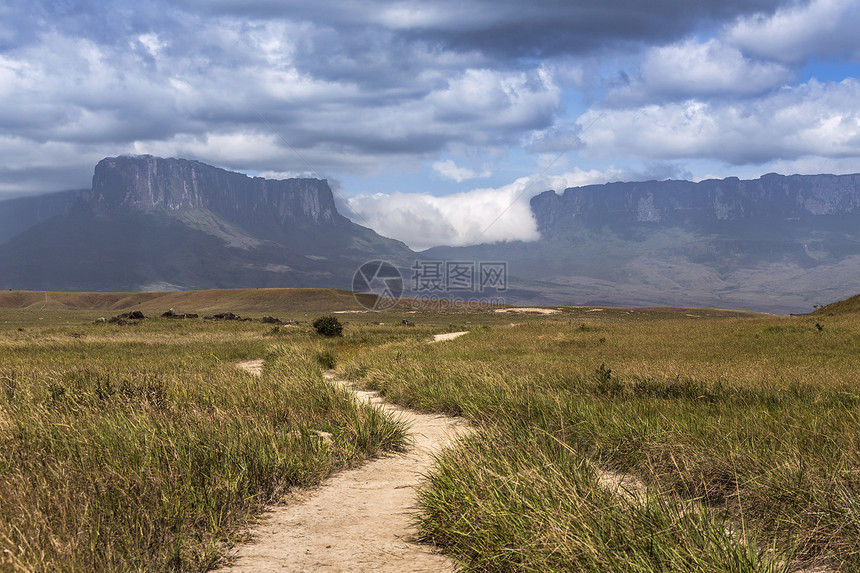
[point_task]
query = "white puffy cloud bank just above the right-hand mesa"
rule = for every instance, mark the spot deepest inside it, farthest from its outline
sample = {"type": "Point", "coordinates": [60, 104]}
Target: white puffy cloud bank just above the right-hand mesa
{"type": "Point", "coordinates": [813, 119]}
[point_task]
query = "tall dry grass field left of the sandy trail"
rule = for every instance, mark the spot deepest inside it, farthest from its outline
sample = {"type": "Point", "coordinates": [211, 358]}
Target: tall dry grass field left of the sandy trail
{"type": "Point", "coordinates": [147, 449]}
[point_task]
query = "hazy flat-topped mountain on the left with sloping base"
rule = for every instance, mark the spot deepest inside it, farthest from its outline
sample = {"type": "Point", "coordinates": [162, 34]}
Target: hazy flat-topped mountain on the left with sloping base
{"type": "Point", "coordinates": [150, 223]}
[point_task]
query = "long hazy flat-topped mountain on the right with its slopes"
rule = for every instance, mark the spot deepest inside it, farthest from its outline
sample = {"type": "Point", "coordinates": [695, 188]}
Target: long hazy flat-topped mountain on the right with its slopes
{"type": "Point", "coordinates": [778, 243]}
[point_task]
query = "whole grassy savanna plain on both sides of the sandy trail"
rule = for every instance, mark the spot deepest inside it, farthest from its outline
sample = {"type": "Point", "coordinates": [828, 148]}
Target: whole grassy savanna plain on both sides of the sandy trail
{"type": "Point", "coordinates": [736, 437]}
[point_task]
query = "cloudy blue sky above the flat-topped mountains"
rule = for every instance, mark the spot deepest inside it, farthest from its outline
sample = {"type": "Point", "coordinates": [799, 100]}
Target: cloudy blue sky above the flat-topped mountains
{"type": "Point", "coordinates": [435, 121]}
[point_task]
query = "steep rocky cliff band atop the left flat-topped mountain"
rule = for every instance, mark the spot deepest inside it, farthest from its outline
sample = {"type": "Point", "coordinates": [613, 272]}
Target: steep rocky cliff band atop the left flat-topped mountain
{"type": "Point", "coordinates": [147, 183]}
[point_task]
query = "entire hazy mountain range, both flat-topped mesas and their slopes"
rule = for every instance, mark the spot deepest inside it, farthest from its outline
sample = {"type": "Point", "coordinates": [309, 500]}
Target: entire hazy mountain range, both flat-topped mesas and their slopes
{"type": "Point", "coordinates": [780, 244]}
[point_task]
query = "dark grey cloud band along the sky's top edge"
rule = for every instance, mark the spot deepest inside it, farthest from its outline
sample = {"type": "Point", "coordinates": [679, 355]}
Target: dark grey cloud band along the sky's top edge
{"type": "Point", "coordinates": [509, 28]}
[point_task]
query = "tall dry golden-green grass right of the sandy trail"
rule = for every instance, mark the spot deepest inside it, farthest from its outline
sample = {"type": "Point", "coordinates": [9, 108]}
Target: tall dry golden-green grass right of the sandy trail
{"type": "Point", "coordinates": [745, 432]}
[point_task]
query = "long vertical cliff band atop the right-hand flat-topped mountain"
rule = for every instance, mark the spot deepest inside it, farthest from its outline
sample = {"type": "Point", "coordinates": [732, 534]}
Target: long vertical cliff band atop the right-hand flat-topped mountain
{"type": "Point", "coordinates": [770, 198]}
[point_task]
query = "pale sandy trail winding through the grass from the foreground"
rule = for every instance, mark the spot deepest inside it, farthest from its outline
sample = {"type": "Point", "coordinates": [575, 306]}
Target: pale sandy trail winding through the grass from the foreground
{"type": "Point", "coordinates": [358, 520]}
